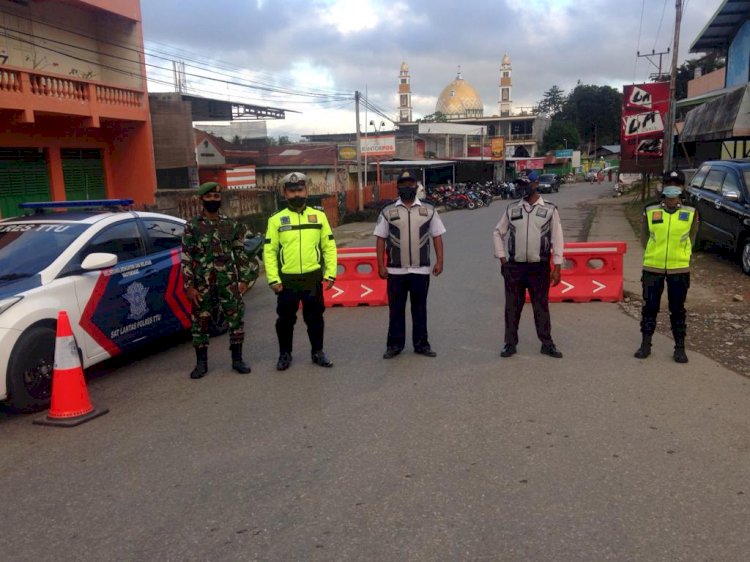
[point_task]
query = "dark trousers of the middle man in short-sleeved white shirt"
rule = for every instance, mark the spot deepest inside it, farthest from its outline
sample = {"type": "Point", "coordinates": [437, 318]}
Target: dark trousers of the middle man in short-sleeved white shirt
{"type": "Point", "coordinates": [413, 286]}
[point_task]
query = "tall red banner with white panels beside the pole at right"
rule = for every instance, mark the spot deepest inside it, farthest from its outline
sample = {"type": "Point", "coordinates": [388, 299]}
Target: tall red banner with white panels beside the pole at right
{"type": "Point", "coordinates": [644, 112]}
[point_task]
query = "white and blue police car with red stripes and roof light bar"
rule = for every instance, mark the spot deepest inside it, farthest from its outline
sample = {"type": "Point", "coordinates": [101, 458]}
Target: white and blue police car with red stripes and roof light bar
{"type": "Point", "coordinates": [115, 272]}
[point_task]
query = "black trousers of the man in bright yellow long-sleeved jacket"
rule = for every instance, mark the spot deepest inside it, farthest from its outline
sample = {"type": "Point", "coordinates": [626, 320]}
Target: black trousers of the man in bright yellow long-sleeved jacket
{"type": "Point", "coordinates": [308, 290]}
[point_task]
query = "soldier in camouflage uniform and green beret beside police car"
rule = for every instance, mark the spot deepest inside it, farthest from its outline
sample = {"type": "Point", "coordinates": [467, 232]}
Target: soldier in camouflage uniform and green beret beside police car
{"type": "Point", "coordinates": [214, 259]}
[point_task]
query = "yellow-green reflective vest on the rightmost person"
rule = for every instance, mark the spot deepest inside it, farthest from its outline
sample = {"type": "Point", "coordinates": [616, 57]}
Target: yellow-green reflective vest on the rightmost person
{"type": "Point", "coordinates": [668, 245]}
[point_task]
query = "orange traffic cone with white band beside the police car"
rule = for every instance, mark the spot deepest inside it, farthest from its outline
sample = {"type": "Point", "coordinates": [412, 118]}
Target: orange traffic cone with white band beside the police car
{"type": "Point", "coordinates": [70, 398]}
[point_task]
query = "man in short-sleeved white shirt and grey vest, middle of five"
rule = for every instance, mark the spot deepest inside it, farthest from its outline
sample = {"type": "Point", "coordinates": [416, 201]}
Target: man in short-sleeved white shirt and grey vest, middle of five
{"type": "Point", "coordinates": [403, 233]}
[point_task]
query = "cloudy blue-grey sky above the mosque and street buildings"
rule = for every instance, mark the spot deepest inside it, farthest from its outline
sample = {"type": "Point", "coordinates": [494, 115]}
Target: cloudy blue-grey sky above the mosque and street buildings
{"type": "Point", "coordinates": [310, 56]}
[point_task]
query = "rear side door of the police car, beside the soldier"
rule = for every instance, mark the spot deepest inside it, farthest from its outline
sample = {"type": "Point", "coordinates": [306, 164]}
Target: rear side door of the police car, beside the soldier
{"type": "Point", "coordinates": [164, 246]}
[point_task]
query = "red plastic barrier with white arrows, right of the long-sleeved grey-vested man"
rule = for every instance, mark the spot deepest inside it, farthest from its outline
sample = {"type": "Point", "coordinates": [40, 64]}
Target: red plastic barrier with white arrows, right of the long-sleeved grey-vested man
{"type": "Point", "coordinates": [593, 271]}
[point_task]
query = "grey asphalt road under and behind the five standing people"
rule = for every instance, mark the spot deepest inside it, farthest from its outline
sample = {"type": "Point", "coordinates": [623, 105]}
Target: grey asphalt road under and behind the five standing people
{"type": "Point", "coordinates": [597, 456]}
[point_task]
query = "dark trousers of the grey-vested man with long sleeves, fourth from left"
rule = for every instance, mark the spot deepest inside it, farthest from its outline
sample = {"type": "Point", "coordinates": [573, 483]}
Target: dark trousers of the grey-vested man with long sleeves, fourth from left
{"type": "Point", "coordinates": [534, 276]}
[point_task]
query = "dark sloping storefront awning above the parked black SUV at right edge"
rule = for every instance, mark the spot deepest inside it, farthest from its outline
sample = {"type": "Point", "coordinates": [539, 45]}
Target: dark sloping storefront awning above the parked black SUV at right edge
{"type": "Point", "coordinates": [725, 117]}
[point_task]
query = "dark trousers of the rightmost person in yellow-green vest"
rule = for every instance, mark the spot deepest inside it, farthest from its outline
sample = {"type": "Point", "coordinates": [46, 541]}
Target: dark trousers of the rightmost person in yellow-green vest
{"type": "Point", "coordinates": [653, 287]}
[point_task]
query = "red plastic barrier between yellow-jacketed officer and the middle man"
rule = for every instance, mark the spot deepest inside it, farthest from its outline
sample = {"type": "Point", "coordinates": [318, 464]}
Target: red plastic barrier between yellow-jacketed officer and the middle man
{"type": "Point", "coordinates": [357, 280]}
